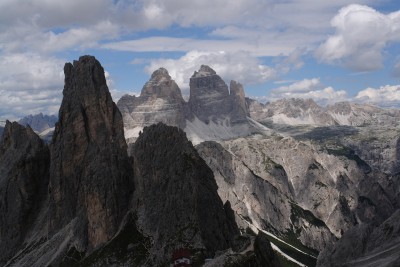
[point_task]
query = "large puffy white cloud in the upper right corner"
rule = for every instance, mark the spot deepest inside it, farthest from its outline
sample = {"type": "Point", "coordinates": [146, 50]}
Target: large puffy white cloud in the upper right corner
{"type": "Point", "coordinates": [361, 35]}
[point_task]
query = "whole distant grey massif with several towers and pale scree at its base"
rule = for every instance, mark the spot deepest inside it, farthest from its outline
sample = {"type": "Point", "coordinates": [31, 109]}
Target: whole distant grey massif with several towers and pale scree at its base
{"type": "Point", "coordinates": [213, 112]}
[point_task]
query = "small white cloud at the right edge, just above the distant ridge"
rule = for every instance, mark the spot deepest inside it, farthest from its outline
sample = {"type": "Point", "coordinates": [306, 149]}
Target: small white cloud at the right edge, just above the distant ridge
{"type": "Point", "coordinates": [388, 95]}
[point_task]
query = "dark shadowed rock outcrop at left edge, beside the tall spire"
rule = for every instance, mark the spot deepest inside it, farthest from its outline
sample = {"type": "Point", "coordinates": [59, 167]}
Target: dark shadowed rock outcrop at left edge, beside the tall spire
{"type": "Point", "coordinates": [23, 184]}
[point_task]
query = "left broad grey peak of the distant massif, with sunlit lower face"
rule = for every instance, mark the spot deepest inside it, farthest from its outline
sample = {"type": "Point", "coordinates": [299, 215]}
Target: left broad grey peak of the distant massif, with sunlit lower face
{"type": "Point", "coordinates": [160, 101]}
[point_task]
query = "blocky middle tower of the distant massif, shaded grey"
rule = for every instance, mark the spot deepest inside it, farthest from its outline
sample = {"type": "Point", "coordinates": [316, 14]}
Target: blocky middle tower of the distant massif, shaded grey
{"type": "Point", "coordinates": [209, 95]}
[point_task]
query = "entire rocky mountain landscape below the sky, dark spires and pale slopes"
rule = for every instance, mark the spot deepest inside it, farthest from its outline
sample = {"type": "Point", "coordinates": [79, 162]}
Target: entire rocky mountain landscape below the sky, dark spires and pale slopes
{"type": "Point", "coordinates": [224, 178]}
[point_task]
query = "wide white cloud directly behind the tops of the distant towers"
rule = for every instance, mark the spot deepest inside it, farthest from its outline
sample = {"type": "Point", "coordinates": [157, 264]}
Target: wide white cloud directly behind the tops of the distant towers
{"type": "Point", "coordinates": [240, 66]}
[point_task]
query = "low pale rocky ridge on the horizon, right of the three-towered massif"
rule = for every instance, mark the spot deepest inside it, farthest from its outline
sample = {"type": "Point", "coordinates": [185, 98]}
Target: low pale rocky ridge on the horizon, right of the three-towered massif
{"type": "Point", "coordinates": [298, 111]}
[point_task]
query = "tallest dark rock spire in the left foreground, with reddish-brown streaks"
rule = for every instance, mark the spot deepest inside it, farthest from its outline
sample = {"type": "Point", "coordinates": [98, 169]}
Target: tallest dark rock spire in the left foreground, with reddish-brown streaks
{"type": "Point", "coordinates": [90, 171]}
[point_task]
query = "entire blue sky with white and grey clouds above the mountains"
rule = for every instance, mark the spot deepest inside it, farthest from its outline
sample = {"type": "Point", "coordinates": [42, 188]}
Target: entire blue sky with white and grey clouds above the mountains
{"type": "Point", "coordinates": [330, 51]}
